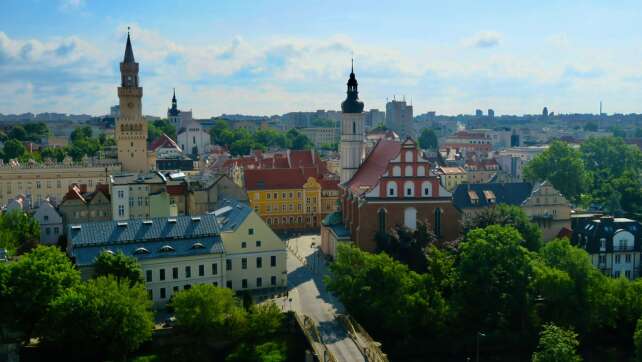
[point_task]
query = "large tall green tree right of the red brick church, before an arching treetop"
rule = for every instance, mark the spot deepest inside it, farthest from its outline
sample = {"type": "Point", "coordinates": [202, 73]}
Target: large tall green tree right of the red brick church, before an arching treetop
{"type": "Point", "coordinates": [492, 288]}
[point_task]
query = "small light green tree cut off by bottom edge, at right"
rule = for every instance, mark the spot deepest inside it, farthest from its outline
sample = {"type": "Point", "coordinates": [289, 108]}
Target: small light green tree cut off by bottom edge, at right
{"type": "Point", "coordinates": [557, 345]}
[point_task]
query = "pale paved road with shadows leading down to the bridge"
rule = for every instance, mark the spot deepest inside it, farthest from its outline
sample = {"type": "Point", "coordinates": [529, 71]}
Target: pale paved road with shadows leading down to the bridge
{"type": "Point", "coordinates": [310, 297]}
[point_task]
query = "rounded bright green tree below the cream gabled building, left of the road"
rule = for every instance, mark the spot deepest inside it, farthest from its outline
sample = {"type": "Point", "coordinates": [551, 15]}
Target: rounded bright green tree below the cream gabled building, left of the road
{"type": "Point", "coordinates": [208, 311]}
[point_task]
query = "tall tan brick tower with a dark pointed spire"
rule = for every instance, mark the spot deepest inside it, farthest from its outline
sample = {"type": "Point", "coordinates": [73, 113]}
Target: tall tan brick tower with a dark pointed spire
{"type": "Point", "coordinates": [131, 127]}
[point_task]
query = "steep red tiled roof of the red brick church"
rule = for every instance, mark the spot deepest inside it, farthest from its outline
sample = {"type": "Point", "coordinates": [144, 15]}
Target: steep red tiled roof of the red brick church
{"type": "Point", "coordinates": [375, 164]}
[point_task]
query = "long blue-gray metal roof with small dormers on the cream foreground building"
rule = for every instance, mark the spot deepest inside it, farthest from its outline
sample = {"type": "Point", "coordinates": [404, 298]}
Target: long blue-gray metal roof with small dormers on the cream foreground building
{"type": "Point", "coordinates": [146, 239]}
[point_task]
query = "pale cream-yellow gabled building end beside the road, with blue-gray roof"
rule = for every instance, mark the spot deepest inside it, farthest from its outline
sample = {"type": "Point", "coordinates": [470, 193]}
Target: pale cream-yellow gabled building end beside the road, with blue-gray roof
{"type": "Point", "coordinates": [255, 257]}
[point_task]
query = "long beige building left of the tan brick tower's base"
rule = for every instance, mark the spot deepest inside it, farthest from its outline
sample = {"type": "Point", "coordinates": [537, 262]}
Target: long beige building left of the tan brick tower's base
{"type": "Point", "coordinates": [52, 180]}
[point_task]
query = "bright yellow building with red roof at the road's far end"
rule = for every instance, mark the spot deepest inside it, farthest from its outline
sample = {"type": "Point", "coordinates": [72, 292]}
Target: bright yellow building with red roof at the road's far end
{"type": "Point", "coordinates": [290, 198]}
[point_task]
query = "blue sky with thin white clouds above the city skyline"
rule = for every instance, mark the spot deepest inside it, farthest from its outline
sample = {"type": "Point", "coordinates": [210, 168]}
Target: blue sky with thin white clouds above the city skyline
{"type": "Point", "coordinates": [271, 57]}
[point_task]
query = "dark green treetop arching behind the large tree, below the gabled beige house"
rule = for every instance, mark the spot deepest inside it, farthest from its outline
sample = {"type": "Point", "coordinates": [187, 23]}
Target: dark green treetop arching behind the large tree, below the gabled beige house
{"type": "Point", "coordinates": [509, 215]}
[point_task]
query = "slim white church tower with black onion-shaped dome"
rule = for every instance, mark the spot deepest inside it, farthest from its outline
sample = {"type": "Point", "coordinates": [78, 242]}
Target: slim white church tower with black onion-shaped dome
{"type": "Point", "coordinates": [352, 130]}
